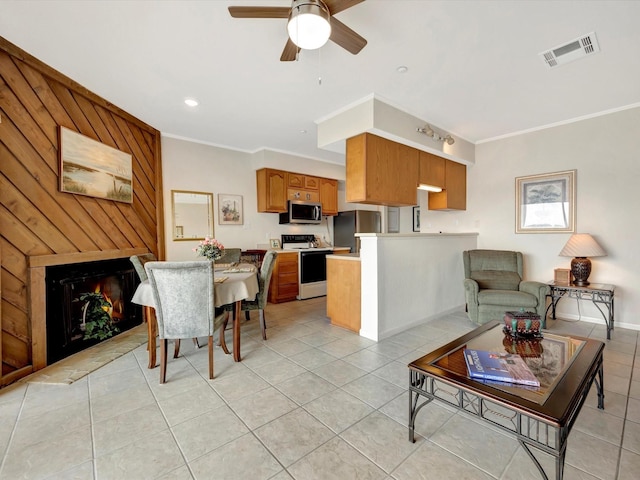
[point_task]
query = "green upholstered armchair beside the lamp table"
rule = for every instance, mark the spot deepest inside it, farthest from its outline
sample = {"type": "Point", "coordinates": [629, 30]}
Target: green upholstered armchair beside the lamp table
{"type": "Point", "coordinates": [493, 285]}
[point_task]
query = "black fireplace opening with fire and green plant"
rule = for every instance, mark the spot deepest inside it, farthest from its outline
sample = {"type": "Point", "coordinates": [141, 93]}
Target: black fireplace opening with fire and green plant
{"type": "Point", "coordinates": [88, 303]}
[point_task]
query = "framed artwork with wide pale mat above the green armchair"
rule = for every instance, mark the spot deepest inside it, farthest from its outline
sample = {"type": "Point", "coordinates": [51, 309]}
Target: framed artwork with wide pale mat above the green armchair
{"type": "Point", "coordinates": [546, 203]}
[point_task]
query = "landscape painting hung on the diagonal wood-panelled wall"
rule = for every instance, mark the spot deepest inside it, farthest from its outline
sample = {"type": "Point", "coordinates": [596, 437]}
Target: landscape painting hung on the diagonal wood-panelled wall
{"type": "Point", "coordinates": [88, 167]}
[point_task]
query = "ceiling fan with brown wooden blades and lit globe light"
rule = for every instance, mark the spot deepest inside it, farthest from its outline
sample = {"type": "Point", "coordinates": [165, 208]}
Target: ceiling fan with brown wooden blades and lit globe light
{"type": "Point", "coordinates": [310, 24]}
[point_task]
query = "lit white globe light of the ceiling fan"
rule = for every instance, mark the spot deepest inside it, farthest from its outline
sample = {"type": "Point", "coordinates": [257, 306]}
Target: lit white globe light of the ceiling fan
{"type": "Point", "coordinates": [309, 27]}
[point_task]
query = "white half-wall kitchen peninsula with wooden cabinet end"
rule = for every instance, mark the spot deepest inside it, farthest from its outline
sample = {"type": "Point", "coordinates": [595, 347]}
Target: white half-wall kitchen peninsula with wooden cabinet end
{"type": "Point", "coordinates": [405, 279]}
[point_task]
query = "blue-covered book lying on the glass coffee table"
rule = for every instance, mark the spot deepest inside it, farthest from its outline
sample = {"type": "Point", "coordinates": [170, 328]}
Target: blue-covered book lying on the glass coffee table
{"type": "Point", "coordinates": [499, 366]}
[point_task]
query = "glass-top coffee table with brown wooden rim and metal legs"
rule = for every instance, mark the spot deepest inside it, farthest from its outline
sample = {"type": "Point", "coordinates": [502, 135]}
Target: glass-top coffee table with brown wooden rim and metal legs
{"type": "Point", "coordinates": [540, 417]}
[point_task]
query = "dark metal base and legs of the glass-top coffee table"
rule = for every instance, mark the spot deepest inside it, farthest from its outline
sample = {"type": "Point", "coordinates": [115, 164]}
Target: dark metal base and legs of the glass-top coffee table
{"type": "Point", "coordinates": [530, 431]}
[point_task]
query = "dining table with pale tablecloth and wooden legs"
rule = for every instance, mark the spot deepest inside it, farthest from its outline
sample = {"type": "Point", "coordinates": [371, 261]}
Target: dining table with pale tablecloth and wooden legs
{"type": "Point", "coordinates": [232, 285]}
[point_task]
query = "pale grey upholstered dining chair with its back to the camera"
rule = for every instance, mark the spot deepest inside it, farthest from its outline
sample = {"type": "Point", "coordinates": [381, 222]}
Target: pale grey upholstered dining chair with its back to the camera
{"type": "Point", "coordinates": [184, 295]}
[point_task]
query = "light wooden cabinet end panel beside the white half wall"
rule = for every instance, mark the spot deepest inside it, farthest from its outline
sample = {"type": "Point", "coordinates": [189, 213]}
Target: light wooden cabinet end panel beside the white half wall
{"type": "Point", "coordinates": [343, 291]}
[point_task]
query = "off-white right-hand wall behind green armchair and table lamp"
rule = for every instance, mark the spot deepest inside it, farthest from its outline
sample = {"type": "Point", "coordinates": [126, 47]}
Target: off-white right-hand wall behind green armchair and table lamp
{"type": "Point", "coordinates": [604, 151]}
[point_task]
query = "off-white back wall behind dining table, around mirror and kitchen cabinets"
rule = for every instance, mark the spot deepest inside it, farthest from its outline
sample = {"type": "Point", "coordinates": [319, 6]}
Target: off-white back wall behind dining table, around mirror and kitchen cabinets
{"type": "Point", "coordinates": [199, 167]}
